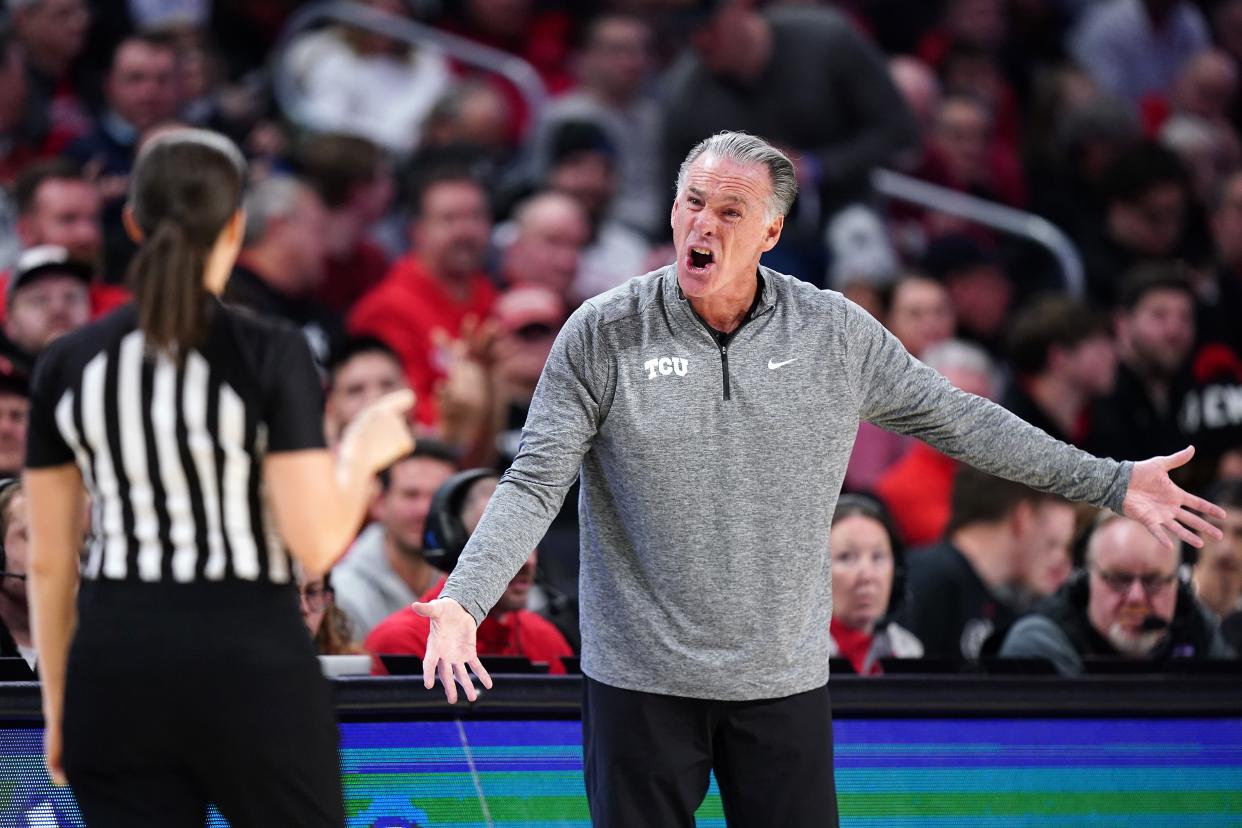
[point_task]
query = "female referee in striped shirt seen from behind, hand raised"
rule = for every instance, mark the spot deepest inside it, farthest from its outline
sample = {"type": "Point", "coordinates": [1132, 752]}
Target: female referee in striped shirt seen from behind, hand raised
{"type": "Point", "coordinates": [186, 676]}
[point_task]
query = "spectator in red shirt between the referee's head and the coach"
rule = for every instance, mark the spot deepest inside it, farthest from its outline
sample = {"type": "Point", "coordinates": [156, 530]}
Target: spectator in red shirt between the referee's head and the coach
{"type": "Point", "coordinates": [438, 286]}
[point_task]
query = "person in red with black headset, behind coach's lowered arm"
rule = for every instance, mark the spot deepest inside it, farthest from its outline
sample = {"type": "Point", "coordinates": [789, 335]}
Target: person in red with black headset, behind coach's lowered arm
{"type": "Point", "coordinates": [509, 630]}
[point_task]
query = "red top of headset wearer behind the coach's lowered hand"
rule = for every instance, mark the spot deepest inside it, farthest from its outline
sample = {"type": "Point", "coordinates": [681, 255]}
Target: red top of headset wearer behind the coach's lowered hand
{"type": "Point", "coordinates": [515, 634]}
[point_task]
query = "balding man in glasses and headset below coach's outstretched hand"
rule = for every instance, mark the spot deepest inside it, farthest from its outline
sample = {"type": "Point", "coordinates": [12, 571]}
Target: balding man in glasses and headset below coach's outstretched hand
{"type": "Point", "coordinates": [1127, 604]}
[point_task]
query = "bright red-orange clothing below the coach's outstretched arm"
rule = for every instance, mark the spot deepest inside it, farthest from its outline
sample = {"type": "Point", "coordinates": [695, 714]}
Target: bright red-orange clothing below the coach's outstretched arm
{"type": "Point", "coordinates": [917, 490]}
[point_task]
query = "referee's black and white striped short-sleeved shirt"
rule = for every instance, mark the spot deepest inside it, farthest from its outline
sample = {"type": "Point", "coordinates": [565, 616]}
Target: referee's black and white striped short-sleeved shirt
{"type": "Point", "coordinates": [173, 456]}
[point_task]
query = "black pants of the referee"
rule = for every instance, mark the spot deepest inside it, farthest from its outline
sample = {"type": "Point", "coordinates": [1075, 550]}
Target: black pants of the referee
{"type": "Point", "coordinates": [178, 696]}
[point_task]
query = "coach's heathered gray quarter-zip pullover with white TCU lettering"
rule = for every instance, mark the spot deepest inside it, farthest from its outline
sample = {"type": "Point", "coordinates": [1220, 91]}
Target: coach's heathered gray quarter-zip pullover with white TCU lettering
{"type": "Point", "coordinates": [710, 477]}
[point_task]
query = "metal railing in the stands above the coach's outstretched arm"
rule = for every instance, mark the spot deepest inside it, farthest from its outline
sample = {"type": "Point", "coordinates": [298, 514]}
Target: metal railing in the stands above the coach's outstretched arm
{"type": "Point", "coordinates": [989, 214]}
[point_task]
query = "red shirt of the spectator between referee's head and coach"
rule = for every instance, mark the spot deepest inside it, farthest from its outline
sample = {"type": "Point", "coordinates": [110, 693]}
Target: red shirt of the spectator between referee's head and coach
{"type": "Point", "coordinates": [406, 308]}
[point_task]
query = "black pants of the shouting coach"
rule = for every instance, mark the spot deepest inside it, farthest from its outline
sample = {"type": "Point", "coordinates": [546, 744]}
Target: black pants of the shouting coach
{"type": "Point", "coordinates": [648, 759]}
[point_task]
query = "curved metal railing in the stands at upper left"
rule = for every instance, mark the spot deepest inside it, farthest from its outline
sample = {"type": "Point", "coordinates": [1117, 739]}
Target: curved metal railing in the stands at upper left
{"type": "Point", "coordinates": [285, 85]}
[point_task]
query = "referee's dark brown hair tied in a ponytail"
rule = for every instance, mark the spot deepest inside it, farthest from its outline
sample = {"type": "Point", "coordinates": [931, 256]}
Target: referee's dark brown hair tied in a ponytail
{"type": "Point", "coordinates": [186, 187]}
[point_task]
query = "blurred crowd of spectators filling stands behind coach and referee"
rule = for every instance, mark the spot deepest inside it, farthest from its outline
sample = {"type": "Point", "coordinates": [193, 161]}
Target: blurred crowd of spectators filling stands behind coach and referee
{"type": "Point", "coordinates": [437, 184]}
